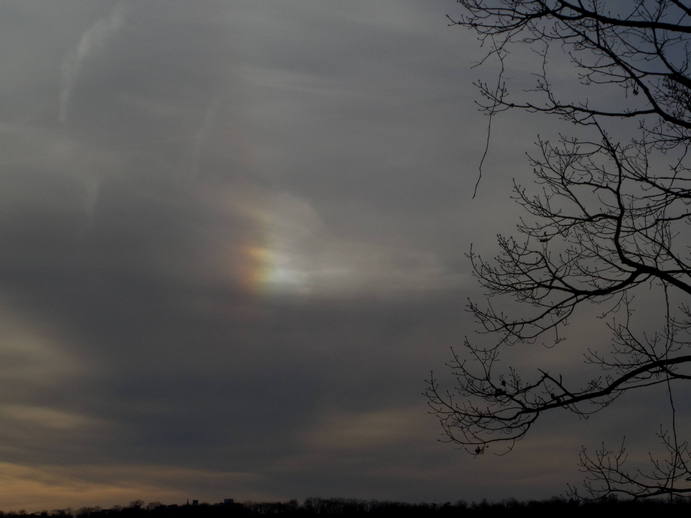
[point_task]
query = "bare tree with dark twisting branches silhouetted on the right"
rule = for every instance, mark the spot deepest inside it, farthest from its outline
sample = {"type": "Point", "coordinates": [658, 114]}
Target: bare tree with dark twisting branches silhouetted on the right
{"type": "Point", "coordinates": [609, 219]}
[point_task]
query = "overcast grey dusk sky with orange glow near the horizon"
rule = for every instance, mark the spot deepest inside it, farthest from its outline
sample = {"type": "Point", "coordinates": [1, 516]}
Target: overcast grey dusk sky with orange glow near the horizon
{"type": "Point", "coordinates": [233, 248]}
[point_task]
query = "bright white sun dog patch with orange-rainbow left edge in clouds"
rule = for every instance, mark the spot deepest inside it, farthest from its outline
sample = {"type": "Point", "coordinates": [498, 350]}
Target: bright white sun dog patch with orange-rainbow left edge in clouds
{"type": "Point", "coordinates": [297, 253]}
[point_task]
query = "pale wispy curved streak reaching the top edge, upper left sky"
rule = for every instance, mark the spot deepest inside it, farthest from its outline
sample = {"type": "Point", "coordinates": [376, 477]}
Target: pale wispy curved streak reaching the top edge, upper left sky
{"type": "Point", "coordinates": [91, 41]}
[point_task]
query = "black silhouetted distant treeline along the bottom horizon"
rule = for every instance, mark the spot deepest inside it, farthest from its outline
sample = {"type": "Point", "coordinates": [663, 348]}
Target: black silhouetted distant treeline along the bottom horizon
{"type": "Point", "coordinates": [321, 507]}
